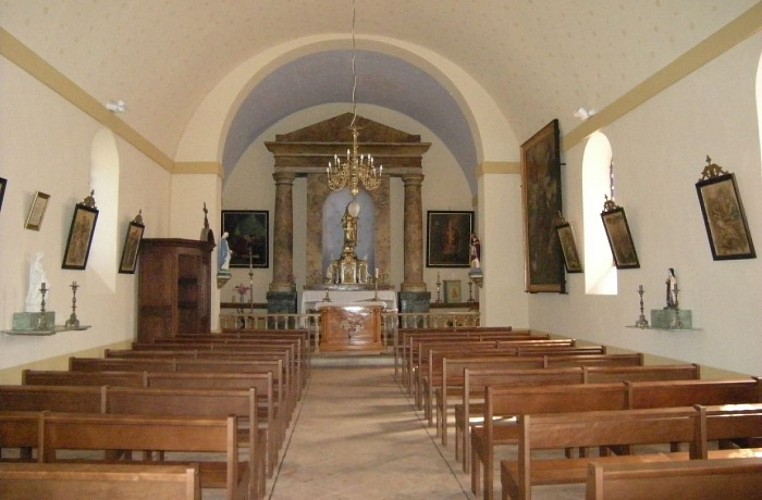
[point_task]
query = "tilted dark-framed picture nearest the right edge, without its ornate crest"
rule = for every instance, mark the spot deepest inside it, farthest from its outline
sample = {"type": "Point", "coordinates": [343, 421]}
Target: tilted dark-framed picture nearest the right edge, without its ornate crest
{"type": "Point", "coordinates": [724, 218]}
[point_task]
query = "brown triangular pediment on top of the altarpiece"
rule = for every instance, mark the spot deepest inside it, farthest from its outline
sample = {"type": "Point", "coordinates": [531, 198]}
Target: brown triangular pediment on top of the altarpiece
{"type": "Point", "coordinates": [336, 130]}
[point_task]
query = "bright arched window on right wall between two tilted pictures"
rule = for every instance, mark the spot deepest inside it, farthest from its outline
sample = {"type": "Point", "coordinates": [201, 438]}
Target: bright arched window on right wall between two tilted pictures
{"type": "Point", "coordinates": [600, 273]}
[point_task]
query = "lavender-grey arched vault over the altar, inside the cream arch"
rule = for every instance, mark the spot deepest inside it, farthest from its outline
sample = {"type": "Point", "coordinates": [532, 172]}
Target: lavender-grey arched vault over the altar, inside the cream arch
{"type": "Point", "coordinates": [326, 77]}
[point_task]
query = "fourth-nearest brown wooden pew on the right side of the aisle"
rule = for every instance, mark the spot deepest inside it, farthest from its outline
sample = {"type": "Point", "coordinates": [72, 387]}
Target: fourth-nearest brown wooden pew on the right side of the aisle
{"type": "Point", "coordinates": [476, 378]}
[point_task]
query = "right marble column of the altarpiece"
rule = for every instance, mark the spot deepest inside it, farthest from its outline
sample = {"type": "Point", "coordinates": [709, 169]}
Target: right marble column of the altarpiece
{"type": "Point", "coordinates": [413, 276]}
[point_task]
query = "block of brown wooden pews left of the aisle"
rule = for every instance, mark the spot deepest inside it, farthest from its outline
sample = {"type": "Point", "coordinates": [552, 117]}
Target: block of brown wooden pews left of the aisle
{"type": "Point", "coordinates": [220, 404]}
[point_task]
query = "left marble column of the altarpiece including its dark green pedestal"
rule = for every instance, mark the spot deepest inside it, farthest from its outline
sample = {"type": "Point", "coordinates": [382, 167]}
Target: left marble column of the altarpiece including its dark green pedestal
{"type": "Point", "coordinates": [281, 298]}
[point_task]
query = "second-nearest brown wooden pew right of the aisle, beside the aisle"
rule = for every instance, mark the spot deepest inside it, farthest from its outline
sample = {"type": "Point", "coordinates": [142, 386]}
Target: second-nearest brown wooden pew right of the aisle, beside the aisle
{"type": "Point", "coordinates": [593, 429]}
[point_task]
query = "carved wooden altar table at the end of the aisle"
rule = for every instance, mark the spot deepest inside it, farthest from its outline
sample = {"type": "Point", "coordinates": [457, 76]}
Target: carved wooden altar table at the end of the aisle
{"type": "Point", "coordinates": [351, 327]}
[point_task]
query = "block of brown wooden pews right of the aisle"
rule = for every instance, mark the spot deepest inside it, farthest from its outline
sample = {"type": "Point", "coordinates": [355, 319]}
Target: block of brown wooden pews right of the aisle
{"type": "Point", "coordinates": [488, 382]}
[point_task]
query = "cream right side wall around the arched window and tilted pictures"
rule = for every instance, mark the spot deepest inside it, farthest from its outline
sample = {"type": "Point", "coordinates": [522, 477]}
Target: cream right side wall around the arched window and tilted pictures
{"type": "Point", "coordinates": [659, 151]}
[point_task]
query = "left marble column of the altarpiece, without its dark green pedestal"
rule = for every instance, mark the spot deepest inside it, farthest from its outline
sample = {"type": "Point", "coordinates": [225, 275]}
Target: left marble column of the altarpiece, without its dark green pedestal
{"type": "Point", "coordinates": [283, 230]}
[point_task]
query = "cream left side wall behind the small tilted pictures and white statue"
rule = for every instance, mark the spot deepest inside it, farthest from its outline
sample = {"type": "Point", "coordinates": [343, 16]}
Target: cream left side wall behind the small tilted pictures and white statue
{"type": "Point", "coordinates": [46, 145]}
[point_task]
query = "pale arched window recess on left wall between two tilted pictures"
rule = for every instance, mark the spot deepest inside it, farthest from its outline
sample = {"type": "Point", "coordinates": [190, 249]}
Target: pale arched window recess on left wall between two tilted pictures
{"type": "Point", "coordinates": [104, 179]}
